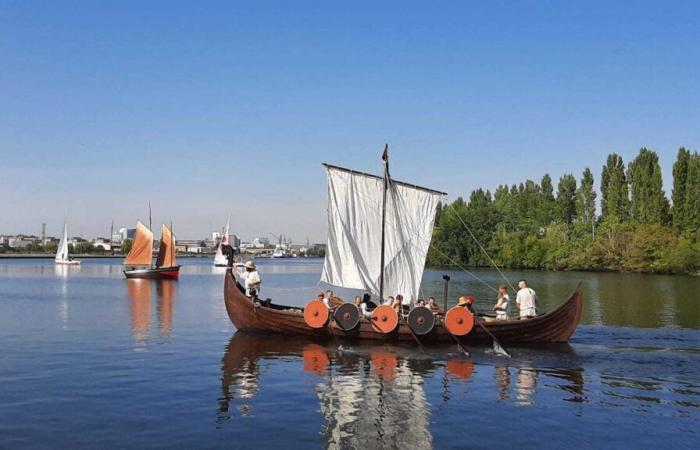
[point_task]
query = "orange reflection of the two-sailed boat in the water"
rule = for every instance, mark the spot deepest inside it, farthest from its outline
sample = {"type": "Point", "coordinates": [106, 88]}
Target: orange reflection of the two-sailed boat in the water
{"type": "Point", "coordinates": [140, 293]}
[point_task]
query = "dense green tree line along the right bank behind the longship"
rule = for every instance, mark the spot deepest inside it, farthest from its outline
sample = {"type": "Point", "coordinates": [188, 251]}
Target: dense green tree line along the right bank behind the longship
{"type": "Point", "coordinates": [531, 226]}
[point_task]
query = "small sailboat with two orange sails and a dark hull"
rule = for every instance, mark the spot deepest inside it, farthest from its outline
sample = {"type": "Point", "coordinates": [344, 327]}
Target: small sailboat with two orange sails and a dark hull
{"type": "Point", "coordinates": [139, 262]}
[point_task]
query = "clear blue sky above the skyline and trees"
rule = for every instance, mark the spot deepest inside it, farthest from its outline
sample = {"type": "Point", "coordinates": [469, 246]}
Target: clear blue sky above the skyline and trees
{"type": "Point", "coordinates": [206, 108]}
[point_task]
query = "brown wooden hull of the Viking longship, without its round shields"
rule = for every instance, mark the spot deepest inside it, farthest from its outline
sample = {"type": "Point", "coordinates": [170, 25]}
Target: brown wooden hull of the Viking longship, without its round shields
{"type": "Point", "coordinates": [556, 326]}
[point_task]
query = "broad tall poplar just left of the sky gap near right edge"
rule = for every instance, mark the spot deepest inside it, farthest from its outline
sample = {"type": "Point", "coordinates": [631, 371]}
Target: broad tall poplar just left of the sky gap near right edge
{"type": "Point", "coordinates": [649, 203]}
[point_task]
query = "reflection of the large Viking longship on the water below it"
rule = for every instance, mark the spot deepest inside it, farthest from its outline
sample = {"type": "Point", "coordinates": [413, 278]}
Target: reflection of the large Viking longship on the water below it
{"type": "Point", "coordinates": [373, 396]}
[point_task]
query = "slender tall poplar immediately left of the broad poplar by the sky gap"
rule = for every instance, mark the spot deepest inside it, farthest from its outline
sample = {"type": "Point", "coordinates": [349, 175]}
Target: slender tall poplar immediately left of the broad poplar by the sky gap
{"type": "Point", "coordinates": [613, 185]}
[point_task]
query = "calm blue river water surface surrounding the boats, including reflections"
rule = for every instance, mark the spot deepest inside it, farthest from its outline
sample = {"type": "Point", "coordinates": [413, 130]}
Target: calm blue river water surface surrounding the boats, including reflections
{"type": "Point", "coordinates": [91, 360]}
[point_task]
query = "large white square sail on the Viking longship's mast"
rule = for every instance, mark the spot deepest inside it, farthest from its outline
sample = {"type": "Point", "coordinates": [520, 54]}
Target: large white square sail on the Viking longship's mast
{"type": "Point", "coordinates": [353, 253]}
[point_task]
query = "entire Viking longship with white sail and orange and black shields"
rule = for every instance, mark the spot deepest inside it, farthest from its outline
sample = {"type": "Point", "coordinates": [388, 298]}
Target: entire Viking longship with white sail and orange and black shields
{"type": "Point", "coordinates": [379, 231]}
